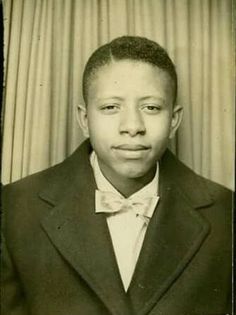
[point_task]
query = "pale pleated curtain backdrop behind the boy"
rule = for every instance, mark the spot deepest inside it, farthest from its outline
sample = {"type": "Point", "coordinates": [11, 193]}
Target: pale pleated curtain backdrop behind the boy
{"type": "Point", "coordinates": [47, 43]}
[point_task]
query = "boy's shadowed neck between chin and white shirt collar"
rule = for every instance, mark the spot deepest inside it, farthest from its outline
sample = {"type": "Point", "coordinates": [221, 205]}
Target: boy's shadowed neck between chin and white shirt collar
{"type": "Point", "coordinates": [128, 186]}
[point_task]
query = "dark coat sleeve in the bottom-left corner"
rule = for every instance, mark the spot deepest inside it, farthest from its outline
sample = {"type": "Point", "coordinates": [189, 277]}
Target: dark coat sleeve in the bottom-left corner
{"type": "Point", "coordinates": [12, 295]}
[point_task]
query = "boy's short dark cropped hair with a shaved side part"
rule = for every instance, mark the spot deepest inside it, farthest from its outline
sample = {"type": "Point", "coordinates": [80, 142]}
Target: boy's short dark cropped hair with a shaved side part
{"type": "Point", "coordinates": [133, 48]}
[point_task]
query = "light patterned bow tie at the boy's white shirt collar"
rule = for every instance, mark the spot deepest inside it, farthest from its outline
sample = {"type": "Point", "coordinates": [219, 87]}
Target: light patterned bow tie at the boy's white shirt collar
{"type": "Point", "coordinates": [110, 202]}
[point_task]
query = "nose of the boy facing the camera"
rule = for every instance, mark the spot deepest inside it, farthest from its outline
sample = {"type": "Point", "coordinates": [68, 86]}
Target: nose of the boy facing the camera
{"type": "Point", "coordinates": [131, 122]}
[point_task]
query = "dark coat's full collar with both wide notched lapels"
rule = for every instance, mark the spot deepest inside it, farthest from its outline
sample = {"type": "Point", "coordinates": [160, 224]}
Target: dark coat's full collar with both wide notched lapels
{"type": "Point", "coordinates": [72, 224]}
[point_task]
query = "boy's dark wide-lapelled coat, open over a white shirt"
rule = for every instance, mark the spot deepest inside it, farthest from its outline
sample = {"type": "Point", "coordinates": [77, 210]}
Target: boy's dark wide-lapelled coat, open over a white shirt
{"type": "Point", "coordinates": [58, 257]}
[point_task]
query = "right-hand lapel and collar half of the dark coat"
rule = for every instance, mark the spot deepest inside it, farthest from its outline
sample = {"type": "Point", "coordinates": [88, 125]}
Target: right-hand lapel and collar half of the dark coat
{"type": "Point", "coordinates": [174, 235]}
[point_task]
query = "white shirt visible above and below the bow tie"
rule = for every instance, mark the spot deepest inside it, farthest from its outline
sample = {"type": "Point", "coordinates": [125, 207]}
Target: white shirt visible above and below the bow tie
{"type": "Point", "coordinates": [127, 229]}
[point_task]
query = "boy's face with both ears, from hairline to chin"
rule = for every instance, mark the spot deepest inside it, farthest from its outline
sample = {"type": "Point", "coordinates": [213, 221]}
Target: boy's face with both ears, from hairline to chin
{"type": "Point", "coordinates": [129, 117]}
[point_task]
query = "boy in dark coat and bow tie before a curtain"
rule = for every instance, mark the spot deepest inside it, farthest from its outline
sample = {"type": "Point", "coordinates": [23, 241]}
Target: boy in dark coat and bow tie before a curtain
{"type": "Point", "coordinates": [121, 226]}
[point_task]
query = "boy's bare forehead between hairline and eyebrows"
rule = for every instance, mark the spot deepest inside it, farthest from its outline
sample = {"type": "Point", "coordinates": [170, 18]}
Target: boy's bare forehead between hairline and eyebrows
{"type": "Point", "coordinates": [130, 77]}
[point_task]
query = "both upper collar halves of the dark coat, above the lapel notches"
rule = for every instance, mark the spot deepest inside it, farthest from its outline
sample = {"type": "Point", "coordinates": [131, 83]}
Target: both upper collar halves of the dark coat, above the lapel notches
{"type": "Point", "coordinates": [67, 177]}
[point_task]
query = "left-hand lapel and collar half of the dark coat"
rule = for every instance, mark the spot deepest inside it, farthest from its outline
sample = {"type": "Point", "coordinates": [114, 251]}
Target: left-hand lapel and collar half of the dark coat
{"type": "Point", "coordinates": [82, 236]}
